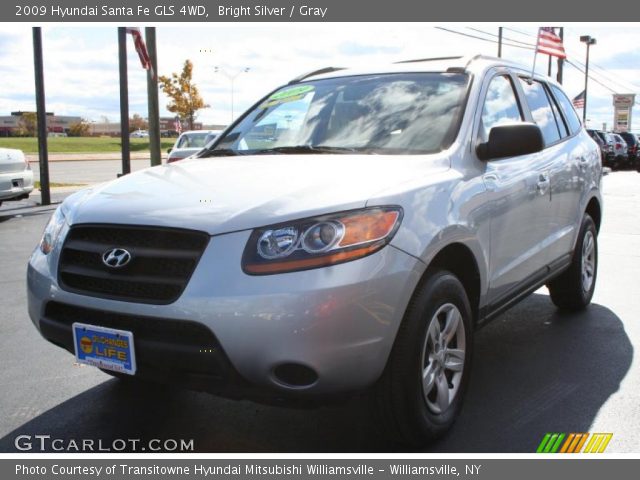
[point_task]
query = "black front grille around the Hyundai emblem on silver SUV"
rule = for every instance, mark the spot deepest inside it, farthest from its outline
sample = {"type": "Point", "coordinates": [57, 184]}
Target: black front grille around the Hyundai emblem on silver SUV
{"type": "Point", "coordinates": [162, 261]}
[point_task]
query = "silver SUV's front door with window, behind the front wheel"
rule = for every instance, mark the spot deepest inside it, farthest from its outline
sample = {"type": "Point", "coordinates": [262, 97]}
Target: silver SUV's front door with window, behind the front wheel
{"type": "Point", "coordinates": [518, 189]}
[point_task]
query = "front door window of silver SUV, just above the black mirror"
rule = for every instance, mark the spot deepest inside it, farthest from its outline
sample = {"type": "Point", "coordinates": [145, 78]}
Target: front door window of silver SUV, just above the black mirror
{"type": "Point", "coordinates": [500, 105]}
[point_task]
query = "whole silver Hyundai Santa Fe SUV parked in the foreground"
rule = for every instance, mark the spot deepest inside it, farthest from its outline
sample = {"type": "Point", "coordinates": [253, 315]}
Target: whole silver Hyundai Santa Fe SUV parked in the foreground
{"type": "Point", "coordinates": [346, 234]}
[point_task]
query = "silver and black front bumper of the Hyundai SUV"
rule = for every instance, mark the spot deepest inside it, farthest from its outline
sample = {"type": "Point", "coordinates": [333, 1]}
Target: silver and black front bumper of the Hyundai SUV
{"type": "Point", "coordinates": [339, 321]}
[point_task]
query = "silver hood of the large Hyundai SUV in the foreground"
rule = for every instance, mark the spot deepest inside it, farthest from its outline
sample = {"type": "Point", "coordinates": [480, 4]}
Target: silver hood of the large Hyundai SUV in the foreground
{"type": "Point", "coordinates": [225, 194]}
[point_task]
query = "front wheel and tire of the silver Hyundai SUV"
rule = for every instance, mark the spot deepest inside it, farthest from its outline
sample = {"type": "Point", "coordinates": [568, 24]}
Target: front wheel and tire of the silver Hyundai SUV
{"type": "Point", "coordinates": [405, 412]}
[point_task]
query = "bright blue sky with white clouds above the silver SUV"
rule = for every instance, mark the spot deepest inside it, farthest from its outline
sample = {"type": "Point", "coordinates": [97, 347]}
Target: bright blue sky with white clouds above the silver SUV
{"type": "Point", "coordinates": [81, 62]}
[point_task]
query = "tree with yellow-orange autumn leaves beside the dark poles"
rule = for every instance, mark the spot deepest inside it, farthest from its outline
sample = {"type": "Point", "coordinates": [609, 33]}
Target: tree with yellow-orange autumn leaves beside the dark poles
{"type": "Point", "coordinates": [184, 95]}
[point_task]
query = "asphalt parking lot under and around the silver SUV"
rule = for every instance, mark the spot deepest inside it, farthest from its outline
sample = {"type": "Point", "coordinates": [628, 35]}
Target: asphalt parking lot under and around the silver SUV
{"type": "Point", "coordinates": [535, 370]}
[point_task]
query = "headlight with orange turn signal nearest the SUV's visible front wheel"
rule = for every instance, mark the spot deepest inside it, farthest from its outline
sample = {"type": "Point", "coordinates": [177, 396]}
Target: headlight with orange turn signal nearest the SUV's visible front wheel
{"type": "Point", "coordinates": [319, 242]}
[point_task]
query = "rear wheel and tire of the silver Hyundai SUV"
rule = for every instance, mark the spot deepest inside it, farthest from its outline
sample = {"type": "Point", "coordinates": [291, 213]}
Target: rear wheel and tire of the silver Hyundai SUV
{"type": "Point", "coordinates": [570, 291]}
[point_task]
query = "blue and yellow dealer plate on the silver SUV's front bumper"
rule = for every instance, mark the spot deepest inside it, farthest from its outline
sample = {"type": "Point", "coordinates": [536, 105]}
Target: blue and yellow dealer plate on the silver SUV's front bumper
{"type": "Point", "coordinates": [104, 348]}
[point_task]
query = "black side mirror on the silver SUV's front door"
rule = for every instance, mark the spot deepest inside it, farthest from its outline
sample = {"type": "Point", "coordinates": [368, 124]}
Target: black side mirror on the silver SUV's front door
{"type": "Point", "coordinates": [511, 140]}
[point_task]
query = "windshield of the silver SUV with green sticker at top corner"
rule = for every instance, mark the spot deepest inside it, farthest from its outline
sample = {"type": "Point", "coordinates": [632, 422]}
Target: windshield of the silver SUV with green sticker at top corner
{"type": "Point", "coordinates": [407, 113]}
